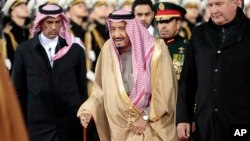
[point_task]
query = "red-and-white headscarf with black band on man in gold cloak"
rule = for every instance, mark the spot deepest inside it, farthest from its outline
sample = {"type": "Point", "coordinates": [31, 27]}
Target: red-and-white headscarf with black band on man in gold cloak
{"type": "Point", "coordinates": [142, 44]}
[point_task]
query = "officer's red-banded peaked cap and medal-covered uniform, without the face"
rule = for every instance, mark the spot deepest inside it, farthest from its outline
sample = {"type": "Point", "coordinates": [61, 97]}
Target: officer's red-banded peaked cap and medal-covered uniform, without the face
{"type": "Point", "coordinates": [166, 12]}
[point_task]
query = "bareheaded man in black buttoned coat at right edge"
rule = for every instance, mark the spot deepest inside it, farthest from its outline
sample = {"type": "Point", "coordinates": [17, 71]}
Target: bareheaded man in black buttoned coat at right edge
{"type": "Point", "coordinates": [216, 76]}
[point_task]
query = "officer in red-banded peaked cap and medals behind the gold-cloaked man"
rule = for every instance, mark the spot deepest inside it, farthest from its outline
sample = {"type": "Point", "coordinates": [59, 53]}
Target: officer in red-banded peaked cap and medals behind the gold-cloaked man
{"type": "Point", "coordinates": [168, 21]}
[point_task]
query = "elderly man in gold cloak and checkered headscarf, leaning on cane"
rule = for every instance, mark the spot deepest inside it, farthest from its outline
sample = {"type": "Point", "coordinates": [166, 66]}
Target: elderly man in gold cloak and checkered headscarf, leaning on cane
{"type": "Point", "coordinates": [134, 93]}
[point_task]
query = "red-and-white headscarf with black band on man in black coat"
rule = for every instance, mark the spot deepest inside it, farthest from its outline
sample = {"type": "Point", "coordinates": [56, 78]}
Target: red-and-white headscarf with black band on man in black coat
{"type": "Point", "coordinates": [53, 10]}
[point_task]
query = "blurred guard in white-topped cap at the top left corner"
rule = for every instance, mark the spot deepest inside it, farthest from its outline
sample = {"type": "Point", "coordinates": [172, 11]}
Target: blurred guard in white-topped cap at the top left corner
{"type": "Point", "coordinates": [16, 30]}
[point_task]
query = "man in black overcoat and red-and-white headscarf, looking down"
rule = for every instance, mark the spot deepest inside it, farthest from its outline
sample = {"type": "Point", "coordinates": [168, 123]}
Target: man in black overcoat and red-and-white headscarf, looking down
{"type": "Point", "coordinates": [50, 78]}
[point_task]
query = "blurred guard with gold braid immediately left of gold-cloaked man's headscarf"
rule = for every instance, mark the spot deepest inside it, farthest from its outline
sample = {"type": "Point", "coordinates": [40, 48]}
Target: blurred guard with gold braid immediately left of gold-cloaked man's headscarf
{"type": "Point", "coordinates": [96, 35]}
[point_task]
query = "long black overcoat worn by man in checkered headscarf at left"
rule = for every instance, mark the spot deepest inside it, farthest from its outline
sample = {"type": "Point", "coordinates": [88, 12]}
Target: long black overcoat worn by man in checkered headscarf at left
{"type": "Point", "coordinates": [50, 96]}
